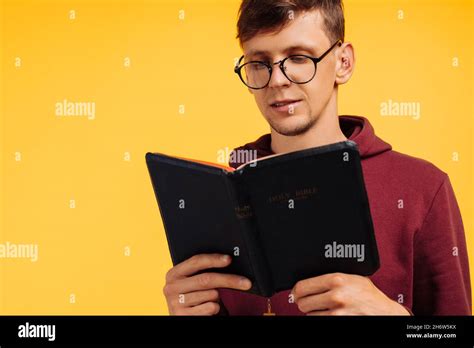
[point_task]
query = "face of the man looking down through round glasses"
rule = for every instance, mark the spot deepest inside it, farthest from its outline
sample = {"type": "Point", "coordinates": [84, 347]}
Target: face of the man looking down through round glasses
{"type": "Point", "coordinates": [303, 35]}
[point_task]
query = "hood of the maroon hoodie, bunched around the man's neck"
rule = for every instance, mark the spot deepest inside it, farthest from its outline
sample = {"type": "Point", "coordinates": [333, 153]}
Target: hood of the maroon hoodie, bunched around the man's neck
{"type": "Point", "coordinates": [355, 128]}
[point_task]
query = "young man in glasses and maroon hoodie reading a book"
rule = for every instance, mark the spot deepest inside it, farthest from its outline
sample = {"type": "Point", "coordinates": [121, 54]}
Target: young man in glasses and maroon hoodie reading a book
{"type": "Point", "coordinates": [294, 60]}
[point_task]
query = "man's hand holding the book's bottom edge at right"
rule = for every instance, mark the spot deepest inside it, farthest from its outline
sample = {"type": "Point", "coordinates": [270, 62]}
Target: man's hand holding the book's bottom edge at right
{"type": "Point", "coordinates": [343, 294]}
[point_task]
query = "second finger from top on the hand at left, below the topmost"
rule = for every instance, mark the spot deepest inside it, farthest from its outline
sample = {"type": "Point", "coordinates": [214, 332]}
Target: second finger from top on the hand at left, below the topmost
{"type": "Point", "coordinates": [206, 281]}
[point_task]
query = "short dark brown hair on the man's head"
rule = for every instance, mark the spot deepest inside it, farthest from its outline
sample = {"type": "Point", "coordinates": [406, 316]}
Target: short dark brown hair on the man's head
{"type": "Point", "coordinates": [263, 16]}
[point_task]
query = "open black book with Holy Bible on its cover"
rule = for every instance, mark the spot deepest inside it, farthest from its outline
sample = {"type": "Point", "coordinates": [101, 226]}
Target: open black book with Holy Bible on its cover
{"type": "Point", "coordinates": [282, 218]}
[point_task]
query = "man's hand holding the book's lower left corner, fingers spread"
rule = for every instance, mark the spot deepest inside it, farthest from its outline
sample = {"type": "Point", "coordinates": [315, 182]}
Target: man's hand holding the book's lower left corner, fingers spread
{"type": "Point", "coordinates": [189, 294]}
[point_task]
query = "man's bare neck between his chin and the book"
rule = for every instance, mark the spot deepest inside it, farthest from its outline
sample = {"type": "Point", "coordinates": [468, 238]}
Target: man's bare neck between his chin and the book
{"type": "Point", "coordinates": [326, 130]}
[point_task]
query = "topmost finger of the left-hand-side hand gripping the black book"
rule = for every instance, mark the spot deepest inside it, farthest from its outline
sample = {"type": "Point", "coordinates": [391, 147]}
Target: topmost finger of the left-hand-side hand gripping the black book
{"type": "Point", "coordinates": [198, 263]}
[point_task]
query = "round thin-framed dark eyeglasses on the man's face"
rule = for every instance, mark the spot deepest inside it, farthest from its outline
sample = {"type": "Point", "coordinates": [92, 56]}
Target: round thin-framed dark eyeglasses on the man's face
{"type": "Point", "coordinates": [298, 68]}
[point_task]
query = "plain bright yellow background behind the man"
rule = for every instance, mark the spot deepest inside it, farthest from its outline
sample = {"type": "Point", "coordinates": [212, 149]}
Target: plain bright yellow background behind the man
{"type": "Point", "coordinates": [173, 62]}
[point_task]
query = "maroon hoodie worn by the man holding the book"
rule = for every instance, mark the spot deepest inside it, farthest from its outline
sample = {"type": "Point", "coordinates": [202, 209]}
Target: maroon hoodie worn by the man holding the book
{"type": "Point", "coordinates": [418, 227]}
